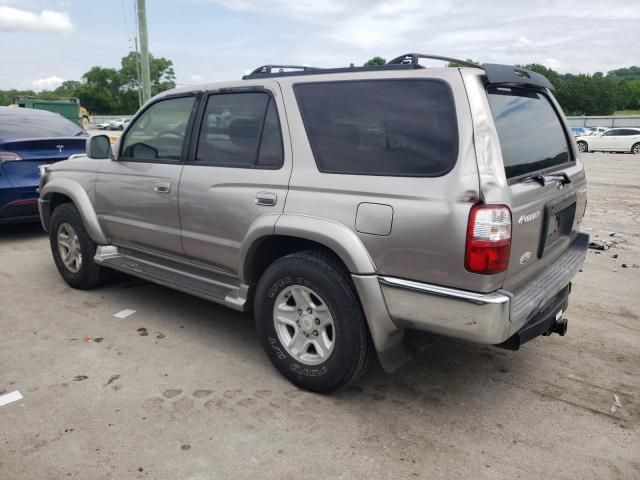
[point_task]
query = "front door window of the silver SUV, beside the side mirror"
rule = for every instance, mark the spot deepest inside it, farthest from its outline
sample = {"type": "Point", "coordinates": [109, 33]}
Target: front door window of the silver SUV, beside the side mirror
{"type": "Point", "coordinates": [159, 133]}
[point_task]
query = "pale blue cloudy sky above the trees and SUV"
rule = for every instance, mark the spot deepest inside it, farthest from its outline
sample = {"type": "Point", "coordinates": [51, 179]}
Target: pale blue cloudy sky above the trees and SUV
{"type": "Point", "coordinates": [44, 42]}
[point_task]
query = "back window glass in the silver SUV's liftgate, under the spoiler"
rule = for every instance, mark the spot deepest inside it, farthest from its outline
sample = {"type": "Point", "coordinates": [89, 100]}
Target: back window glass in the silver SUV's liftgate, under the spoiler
{"type": "Point", "coordinates": [530, 132]}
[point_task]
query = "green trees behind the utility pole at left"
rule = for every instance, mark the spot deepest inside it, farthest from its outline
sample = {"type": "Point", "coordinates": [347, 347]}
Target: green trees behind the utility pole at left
{"type": "Point", "coordinates": [108, 91]}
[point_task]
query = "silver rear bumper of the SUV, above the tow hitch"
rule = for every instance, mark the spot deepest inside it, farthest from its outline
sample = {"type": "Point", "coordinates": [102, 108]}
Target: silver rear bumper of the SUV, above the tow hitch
{"type": "Point", "coordinates": [489, 318]}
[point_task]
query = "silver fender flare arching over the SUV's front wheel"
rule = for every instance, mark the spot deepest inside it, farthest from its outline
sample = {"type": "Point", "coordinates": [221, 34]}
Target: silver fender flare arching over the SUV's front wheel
{"type": "Point", "coordinates": [80, 199]}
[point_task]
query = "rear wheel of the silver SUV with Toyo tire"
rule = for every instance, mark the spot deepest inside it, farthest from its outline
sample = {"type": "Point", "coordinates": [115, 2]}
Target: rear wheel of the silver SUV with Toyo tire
{"type": "Point", "coordinates": [310, 321]}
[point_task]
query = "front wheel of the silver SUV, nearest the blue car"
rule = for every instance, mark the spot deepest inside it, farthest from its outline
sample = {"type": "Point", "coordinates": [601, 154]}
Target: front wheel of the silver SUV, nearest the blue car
{"type": "Point", "coordinates": [73, 250]}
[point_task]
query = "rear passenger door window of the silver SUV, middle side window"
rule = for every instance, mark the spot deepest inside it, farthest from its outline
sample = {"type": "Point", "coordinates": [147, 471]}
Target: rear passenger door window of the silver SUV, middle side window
{"type": "Point", "coordinates": [240, 130]}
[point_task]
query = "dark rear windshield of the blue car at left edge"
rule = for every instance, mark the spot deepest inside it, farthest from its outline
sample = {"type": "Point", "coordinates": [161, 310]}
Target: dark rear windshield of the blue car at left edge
{"type": "Point", "coordinates": [16, 123]}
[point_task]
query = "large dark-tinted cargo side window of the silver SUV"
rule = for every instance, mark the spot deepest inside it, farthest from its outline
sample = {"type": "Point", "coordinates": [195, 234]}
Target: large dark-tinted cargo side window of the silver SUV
{"type": "Point", "coordinates": [380, 127]}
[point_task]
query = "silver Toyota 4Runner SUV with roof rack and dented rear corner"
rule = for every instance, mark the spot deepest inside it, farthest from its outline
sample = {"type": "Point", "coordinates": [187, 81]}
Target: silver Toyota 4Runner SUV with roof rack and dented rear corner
{"type": "Point", "coordinates": [347, 207]}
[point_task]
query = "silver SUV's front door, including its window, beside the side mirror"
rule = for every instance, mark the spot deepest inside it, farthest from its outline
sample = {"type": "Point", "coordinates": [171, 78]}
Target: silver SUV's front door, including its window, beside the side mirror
{"type": "Point", "coordinates": [137, 193]}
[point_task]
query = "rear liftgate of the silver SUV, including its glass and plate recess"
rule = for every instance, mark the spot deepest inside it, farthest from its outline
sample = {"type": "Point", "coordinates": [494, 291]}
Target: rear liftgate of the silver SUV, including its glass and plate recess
{"type": "Point", "coordinates": [548, 186]}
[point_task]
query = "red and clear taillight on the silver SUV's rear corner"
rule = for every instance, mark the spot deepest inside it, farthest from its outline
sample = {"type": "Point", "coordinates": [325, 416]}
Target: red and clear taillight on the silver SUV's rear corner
{"type": "Point", "coordinates": [488, 239]}
